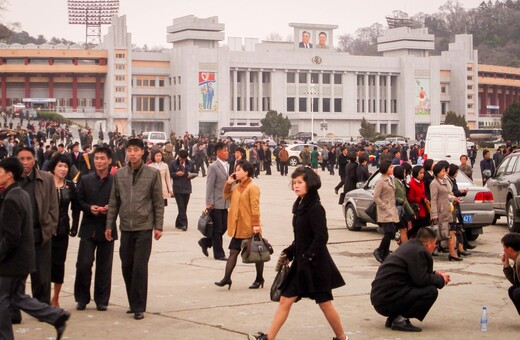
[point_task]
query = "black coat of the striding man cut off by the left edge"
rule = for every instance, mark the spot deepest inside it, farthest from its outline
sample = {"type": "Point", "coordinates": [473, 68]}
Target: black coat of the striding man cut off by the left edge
{"type": "Point", "coordinates": [16, 233]}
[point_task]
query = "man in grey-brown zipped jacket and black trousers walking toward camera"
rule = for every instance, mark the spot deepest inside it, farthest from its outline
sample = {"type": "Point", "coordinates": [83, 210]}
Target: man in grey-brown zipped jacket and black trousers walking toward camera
{"type": "Point", "coordinates": [136, 197]}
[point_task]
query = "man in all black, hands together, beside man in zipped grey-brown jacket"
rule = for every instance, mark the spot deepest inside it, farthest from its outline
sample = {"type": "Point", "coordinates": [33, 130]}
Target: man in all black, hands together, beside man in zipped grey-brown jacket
{"type": "Point", "coordinates": [94, 195]}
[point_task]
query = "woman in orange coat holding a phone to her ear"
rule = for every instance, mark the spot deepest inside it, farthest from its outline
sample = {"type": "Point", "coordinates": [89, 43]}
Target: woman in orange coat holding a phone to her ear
{"type": "Point", "coordinates": [243, 218]}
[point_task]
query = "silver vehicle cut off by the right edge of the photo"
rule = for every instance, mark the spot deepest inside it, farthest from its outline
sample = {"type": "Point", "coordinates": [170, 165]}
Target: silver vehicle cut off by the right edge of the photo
{"type": "Point", "coordinates": [505, 186]}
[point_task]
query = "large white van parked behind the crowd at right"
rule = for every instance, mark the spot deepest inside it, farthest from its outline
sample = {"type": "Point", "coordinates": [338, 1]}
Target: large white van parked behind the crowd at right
{"type": "Point", "coordinates": [445, 142]}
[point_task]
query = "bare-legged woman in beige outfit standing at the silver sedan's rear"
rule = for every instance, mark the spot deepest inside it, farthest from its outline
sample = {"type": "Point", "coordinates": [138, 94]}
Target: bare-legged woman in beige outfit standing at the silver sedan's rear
{"type": "Point", "coordinates": [440, 191]}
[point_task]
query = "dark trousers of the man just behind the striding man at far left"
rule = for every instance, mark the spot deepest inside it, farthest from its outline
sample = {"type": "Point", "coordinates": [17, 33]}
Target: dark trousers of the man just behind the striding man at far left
{"type": "Point", "coordinates": [41, 278]}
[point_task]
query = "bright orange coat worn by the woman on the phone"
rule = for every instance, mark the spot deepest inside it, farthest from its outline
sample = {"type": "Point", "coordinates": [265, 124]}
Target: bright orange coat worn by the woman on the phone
{"type": "Point", "coordinates": [244, 208]}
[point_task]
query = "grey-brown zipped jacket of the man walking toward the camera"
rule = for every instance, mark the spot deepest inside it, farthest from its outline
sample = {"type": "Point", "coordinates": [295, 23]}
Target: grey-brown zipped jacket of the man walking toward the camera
{"type": "Point", "coordinates": [138, 203]}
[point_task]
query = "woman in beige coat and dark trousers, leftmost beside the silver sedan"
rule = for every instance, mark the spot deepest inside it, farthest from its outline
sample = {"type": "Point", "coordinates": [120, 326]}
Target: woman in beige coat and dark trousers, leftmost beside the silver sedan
{"type": "Point", "coordinates": [387, 217]}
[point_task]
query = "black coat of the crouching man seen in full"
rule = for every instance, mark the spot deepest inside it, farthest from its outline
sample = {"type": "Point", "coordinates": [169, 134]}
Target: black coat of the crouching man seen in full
{"type": "Point", "coordinates": [410, 266]}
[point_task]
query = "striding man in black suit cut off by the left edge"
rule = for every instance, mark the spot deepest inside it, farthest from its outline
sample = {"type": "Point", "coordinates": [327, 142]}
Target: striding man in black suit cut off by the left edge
{"type": "Point", "coordinates": [17, 255]}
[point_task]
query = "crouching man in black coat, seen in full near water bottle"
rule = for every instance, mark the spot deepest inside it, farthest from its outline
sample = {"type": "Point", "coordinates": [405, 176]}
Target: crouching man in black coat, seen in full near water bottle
{"type": "Point", "coordinates": [405, 285]}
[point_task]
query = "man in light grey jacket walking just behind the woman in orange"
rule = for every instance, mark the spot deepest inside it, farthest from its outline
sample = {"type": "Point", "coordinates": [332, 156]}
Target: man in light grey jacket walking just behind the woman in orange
{"type": "Point", "coordinates": [215, 202]}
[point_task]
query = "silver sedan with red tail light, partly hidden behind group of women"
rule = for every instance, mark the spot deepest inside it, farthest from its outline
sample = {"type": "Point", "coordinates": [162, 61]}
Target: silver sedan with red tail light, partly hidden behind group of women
{"type": "Point", "coordinates": [476, 207]}
